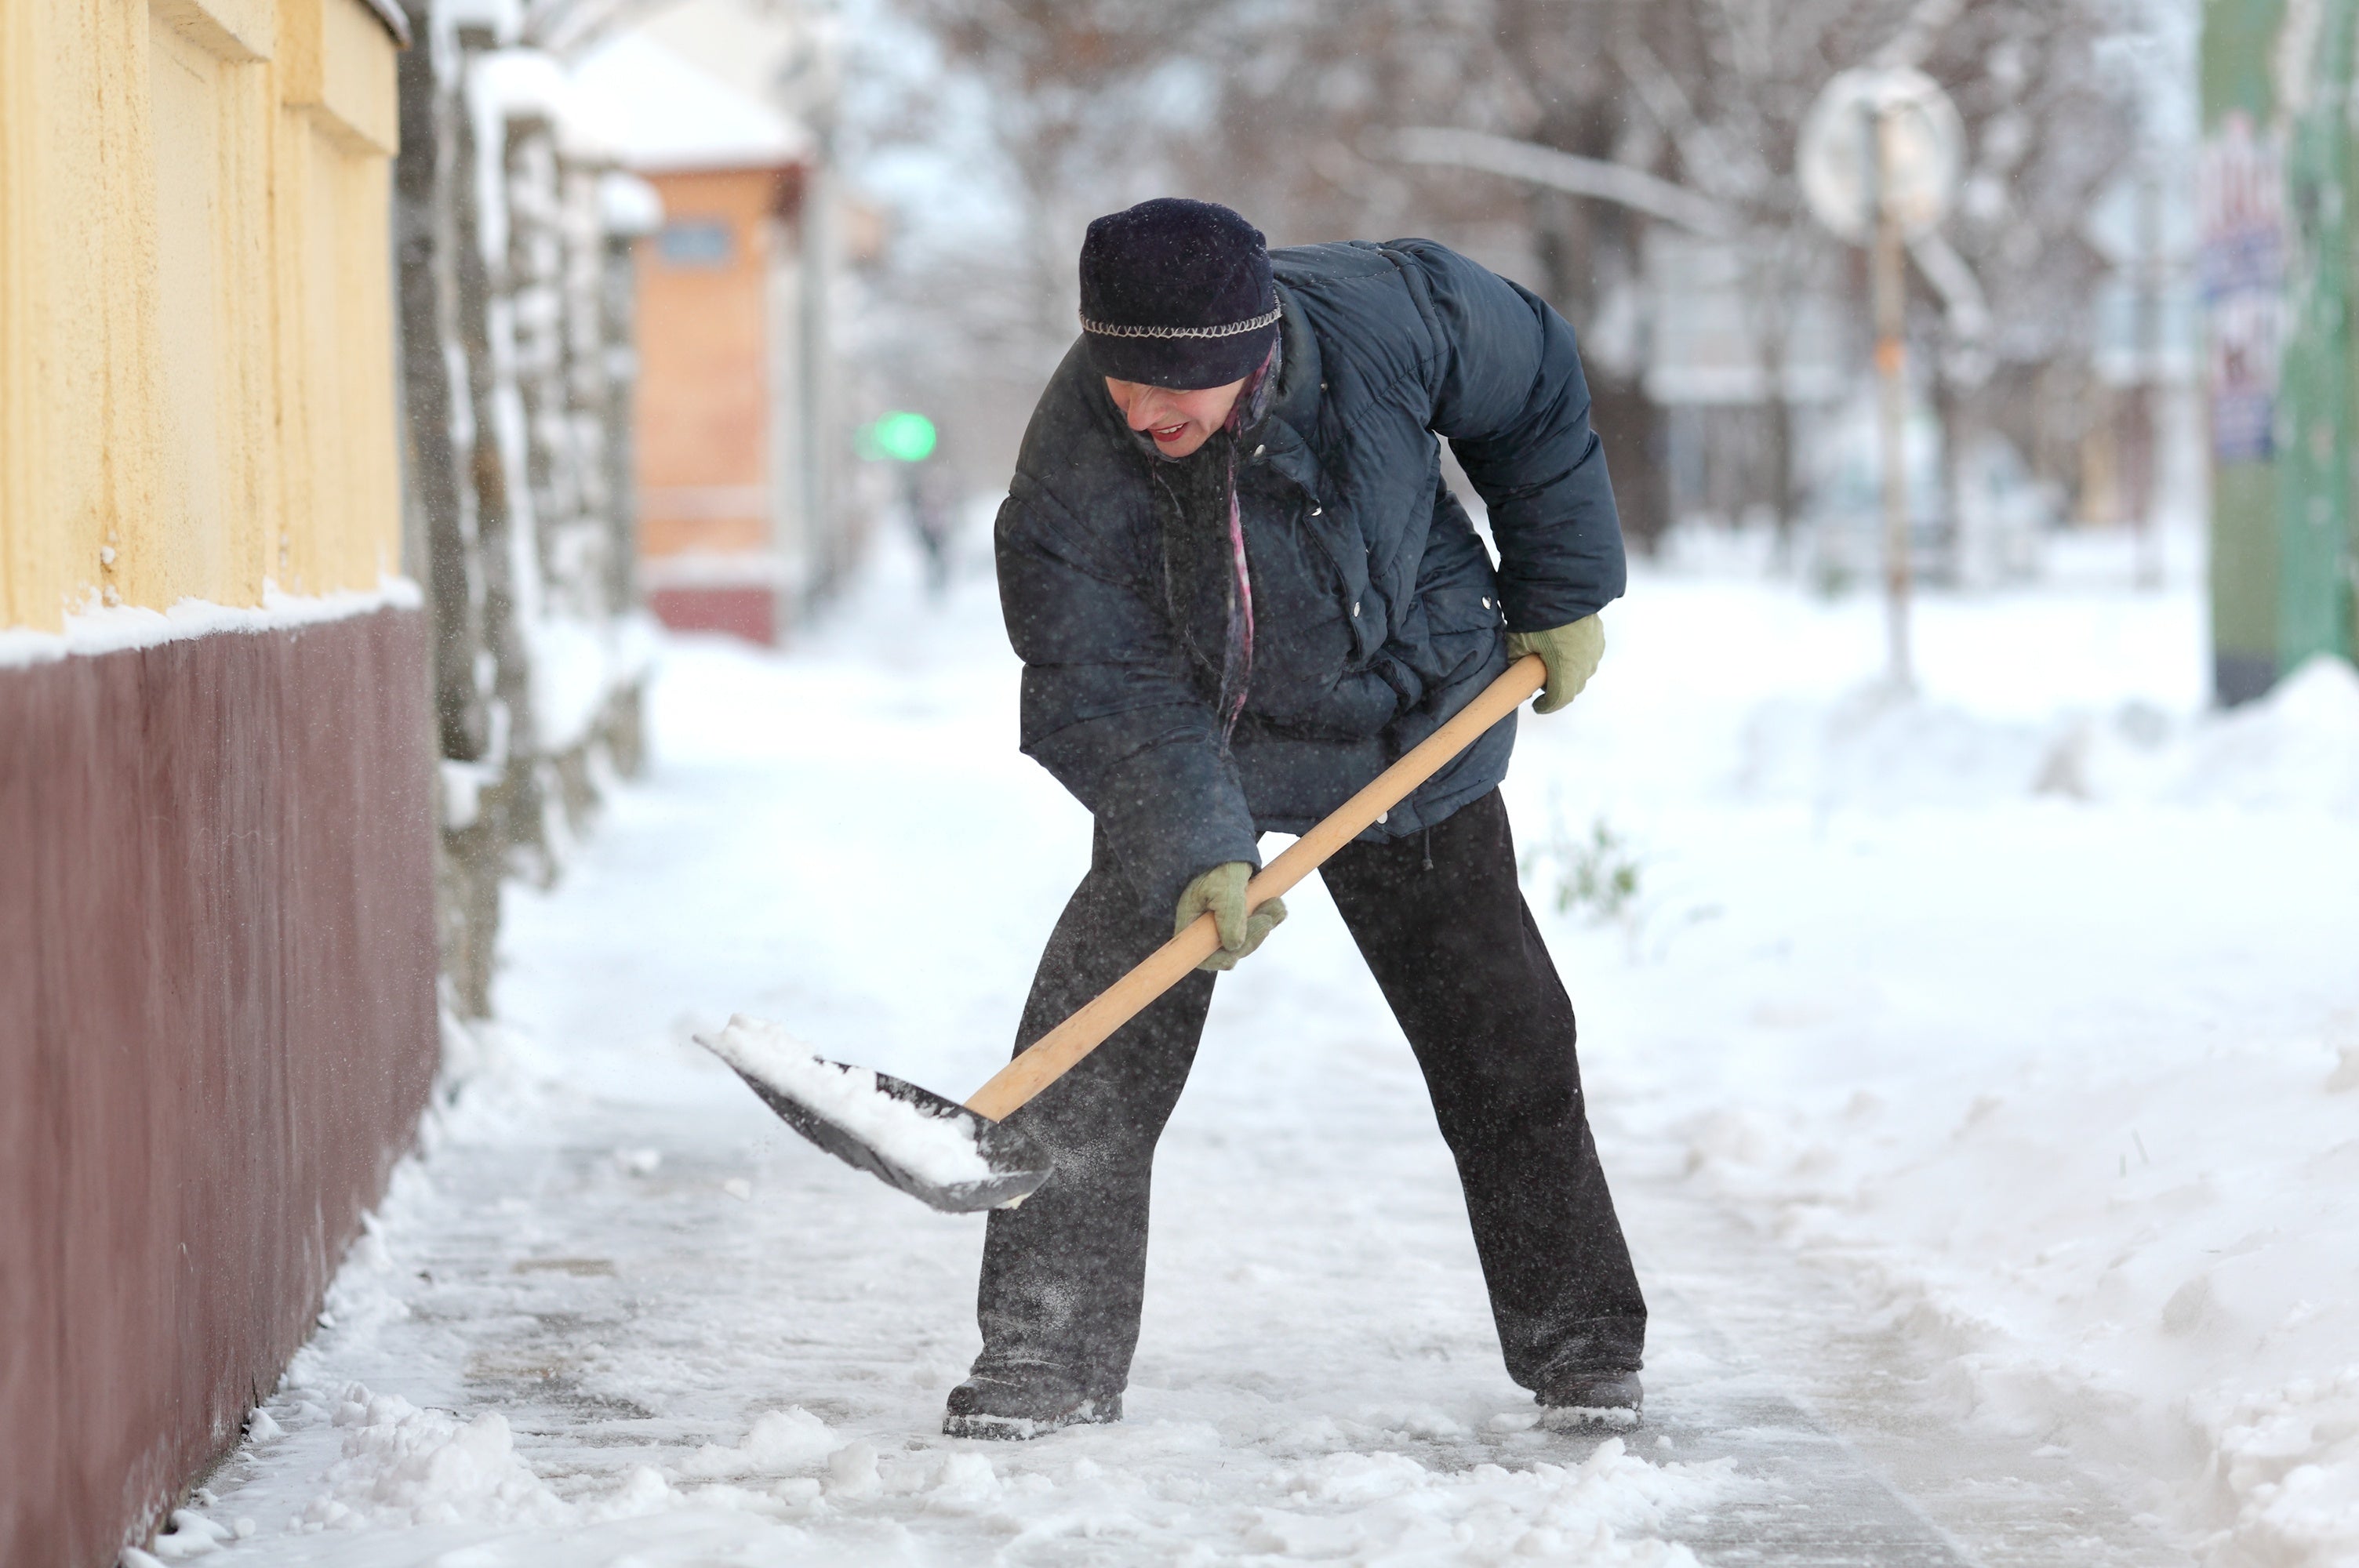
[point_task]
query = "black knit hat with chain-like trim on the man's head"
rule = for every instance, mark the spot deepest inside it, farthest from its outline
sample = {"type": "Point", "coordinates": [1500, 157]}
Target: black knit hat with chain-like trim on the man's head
{"type": "Point", "coordinates": [1176, 294]}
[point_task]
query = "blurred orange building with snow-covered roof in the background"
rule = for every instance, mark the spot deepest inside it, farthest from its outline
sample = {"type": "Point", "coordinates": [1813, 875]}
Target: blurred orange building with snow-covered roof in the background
{"type": "Point", "coordinates": [742, 520]}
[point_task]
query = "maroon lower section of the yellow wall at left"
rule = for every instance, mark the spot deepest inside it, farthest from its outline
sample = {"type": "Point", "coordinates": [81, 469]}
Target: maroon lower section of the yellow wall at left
{"type": "Point", "coordinates": [216, 1036]}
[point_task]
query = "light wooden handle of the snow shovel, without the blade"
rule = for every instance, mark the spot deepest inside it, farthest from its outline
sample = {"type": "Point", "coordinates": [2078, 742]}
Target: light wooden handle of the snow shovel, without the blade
{"type": "Point", "coordinates": [1058, 1050]}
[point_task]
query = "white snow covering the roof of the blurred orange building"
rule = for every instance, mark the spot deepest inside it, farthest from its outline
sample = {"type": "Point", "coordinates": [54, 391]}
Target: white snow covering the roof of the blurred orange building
{"type": "Point", "coordinates": [659, 112]}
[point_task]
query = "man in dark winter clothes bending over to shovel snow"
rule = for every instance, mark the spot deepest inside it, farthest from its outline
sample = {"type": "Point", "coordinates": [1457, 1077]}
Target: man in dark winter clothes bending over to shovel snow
{"type": "Point", "coordinates": [1240, 591]}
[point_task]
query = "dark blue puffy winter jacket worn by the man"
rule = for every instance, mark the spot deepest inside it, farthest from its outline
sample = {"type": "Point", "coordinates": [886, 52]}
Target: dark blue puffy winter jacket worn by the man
{"type": "Point", "coordinates": [1379, 610]}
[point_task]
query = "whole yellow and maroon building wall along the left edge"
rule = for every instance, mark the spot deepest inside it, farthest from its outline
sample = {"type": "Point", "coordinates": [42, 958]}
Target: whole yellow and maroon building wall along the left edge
{"type": "Point", "coordinates": [218, 1013]}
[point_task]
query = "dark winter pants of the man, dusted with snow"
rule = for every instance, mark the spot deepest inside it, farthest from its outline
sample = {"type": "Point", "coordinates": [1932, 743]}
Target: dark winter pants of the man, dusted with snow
{"type": "Point", "coordinates": [1461, 963]}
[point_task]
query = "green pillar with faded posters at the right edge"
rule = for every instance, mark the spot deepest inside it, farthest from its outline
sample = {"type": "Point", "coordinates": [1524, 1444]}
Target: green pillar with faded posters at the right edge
{"type": "Point", "coordinates": [2282, 381]}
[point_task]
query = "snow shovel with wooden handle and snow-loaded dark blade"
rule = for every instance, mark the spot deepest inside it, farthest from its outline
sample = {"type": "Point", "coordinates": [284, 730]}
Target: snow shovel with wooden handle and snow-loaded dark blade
{"type": "Point", "coordinates": [964, 1159]}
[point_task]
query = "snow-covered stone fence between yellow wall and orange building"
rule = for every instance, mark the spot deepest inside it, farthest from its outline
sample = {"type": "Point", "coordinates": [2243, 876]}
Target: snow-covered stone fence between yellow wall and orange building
{"type": "Point", "coordinates": [518, 345]}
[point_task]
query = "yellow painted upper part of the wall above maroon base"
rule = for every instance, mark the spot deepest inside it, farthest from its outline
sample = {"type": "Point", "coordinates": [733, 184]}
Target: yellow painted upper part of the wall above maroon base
{"type": "Point", "coordinates": [197, 343]}
